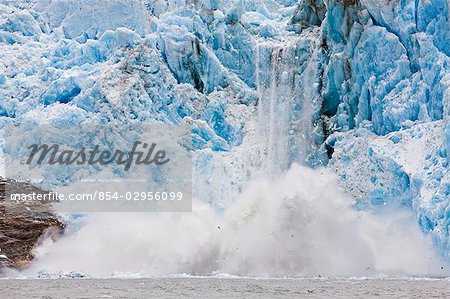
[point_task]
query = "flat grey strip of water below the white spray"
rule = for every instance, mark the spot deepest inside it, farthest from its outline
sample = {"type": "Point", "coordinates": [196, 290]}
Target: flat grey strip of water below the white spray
{"type": "Point", "coordinates": [225, 288]}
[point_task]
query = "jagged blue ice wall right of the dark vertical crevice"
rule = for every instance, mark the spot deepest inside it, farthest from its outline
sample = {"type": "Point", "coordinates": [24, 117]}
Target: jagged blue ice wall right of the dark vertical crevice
{"type": "Point", "coordinates": [387, 86]}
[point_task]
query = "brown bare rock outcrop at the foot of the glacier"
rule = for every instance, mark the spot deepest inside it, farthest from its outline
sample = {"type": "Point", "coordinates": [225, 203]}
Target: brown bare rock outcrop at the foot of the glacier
{"type": "Point", "coordinates": [23, 224]}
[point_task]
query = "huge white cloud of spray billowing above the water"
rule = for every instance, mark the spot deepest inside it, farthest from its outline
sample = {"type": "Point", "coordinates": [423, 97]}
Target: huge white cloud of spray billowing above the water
{"type": "Point", "coordinates": [300, 225]}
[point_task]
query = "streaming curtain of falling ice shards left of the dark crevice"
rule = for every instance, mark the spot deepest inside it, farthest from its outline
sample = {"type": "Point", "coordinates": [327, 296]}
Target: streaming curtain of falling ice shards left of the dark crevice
{"type": "Point", "coordinates": [287, 75]}
